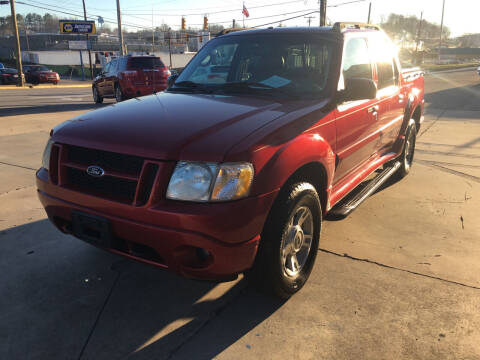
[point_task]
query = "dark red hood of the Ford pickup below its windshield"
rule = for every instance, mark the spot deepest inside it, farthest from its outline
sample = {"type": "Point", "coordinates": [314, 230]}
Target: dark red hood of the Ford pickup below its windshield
{"type": "Point", "coordinates": [173, 126]}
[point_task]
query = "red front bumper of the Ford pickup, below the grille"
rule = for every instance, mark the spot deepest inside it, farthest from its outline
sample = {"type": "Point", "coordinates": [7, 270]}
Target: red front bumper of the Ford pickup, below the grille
{"type": "Point", "coordinates": [170, 236]}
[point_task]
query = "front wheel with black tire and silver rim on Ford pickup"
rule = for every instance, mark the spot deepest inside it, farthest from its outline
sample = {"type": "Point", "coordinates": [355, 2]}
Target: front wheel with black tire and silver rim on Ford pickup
{"type": "Point", "coordinates": [270, 272]}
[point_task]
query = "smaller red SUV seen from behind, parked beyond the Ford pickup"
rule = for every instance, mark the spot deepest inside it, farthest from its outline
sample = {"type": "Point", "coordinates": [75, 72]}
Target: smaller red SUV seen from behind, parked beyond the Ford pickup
{"type": "Point", "coordinates": [130, 76]}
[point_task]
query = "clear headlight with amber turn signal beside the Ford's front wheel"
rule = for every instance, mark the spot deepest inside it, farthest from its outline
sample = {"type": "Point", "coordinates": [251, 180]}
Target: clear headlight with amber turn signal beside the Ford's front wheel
{"type": "Point", "coordinates": [210, 182]}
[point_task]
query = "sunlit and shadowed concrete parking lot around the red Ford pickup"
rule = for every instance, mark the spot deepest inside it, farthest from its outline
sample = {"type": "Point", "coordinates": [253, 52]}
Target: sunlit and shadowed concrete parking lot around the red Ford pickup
{"type": "Point", "coordinates": [398, 278]}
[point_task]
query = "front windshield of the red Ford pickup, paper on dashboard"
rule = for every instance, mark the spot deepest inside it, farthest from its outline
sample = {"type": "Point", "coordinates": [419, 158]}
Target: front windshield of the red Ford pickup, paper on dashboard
{"type": "Point", "coordinates": [287, 64]}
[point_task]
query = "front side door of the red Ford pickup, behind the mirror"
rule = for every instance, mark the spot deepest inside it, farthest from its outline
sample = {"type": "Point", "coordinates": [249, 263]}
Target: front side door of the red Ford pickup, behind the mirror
{"type": "Point", "coordinates": [356, 121]}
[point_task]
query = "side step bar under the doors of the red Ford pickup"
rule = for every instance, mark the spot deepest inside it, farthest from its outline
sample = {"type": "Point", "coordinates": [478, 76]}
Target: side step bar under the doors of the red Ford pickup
{"type": "Point", "coordinates": [344, 208]}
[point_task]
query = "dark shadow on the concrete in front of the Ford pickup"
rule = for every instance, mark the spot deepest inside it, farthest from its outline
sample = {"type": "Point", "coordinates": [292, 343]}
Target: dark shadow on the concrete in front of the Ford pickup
{"type": "Point", "coordinates": [67, 299]}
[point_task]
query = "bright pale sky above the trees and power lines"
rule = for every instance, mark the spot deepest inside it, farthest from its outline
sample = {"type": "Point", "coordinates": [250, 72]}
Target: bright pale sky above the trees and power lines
{"type": "Point", "coordinates": [461, 16]}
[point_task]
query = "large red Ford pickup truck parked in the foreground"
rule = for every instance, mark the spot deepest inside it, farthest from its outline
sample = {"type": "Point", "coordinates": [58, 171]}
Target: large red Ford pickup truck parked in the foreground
{"type": "Point", "coordinates": [233, 168]}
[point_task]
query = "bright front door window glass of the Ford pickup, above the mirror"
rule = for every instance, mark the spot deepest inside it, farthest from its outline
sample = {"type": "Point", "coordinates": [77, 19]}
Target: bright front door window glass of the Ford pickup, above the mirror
{"type": "Point", "coordinates": [356, 60]}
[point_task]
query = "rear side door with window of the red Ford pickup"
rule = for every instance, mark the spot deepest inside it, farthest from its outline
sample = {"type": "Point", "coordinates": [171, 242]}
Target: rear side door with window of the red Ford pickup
{"type": "Point", "coordinates": [390, 94]}
